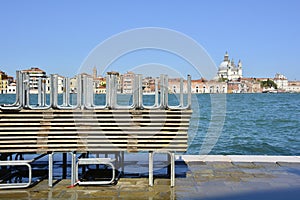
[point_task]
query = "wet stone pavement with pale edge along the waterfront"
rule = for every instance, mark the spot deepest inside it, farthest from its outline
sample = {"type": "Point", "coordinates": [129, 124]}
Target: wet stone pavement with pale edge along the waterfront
{"type": "Point", "coordinates": [197, 177]}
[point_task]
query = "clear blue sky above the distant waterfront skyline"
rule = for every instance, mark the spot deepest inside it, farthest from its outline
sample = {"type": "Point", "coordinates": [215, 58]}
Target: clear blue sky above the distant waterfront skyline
{"type": "Point", "coordinates": [58, 35]}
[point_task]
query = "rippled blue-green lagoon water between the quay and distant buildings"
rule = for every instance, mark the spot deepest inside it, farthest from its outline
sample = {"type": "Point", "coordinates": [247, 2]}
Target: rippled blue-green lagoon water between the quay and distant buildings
{"type": "Point", "coordinates": [254, 124]}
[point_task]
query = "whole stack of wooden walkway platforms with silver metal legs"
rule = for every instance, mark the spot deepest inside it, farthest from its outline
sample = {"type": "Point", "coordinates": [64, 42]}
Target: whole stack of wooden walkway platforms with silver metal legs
{"type": "Point", "coordinates": [44, 135]}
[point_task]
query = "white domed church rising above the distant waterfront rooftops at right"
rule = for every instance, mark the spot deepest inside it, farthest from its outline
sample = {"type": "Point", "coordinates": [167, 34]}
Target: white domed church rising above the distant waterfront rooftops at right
{"type": "Point", "coordinates": [228, 70]}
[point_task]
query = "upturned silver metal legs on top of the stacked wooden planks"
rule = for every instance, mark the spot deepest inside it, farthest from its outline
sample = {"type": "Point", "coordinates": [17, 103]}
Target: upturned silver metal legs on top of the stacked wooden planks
{"type": "Point", "coordinates": [85, 93]}
